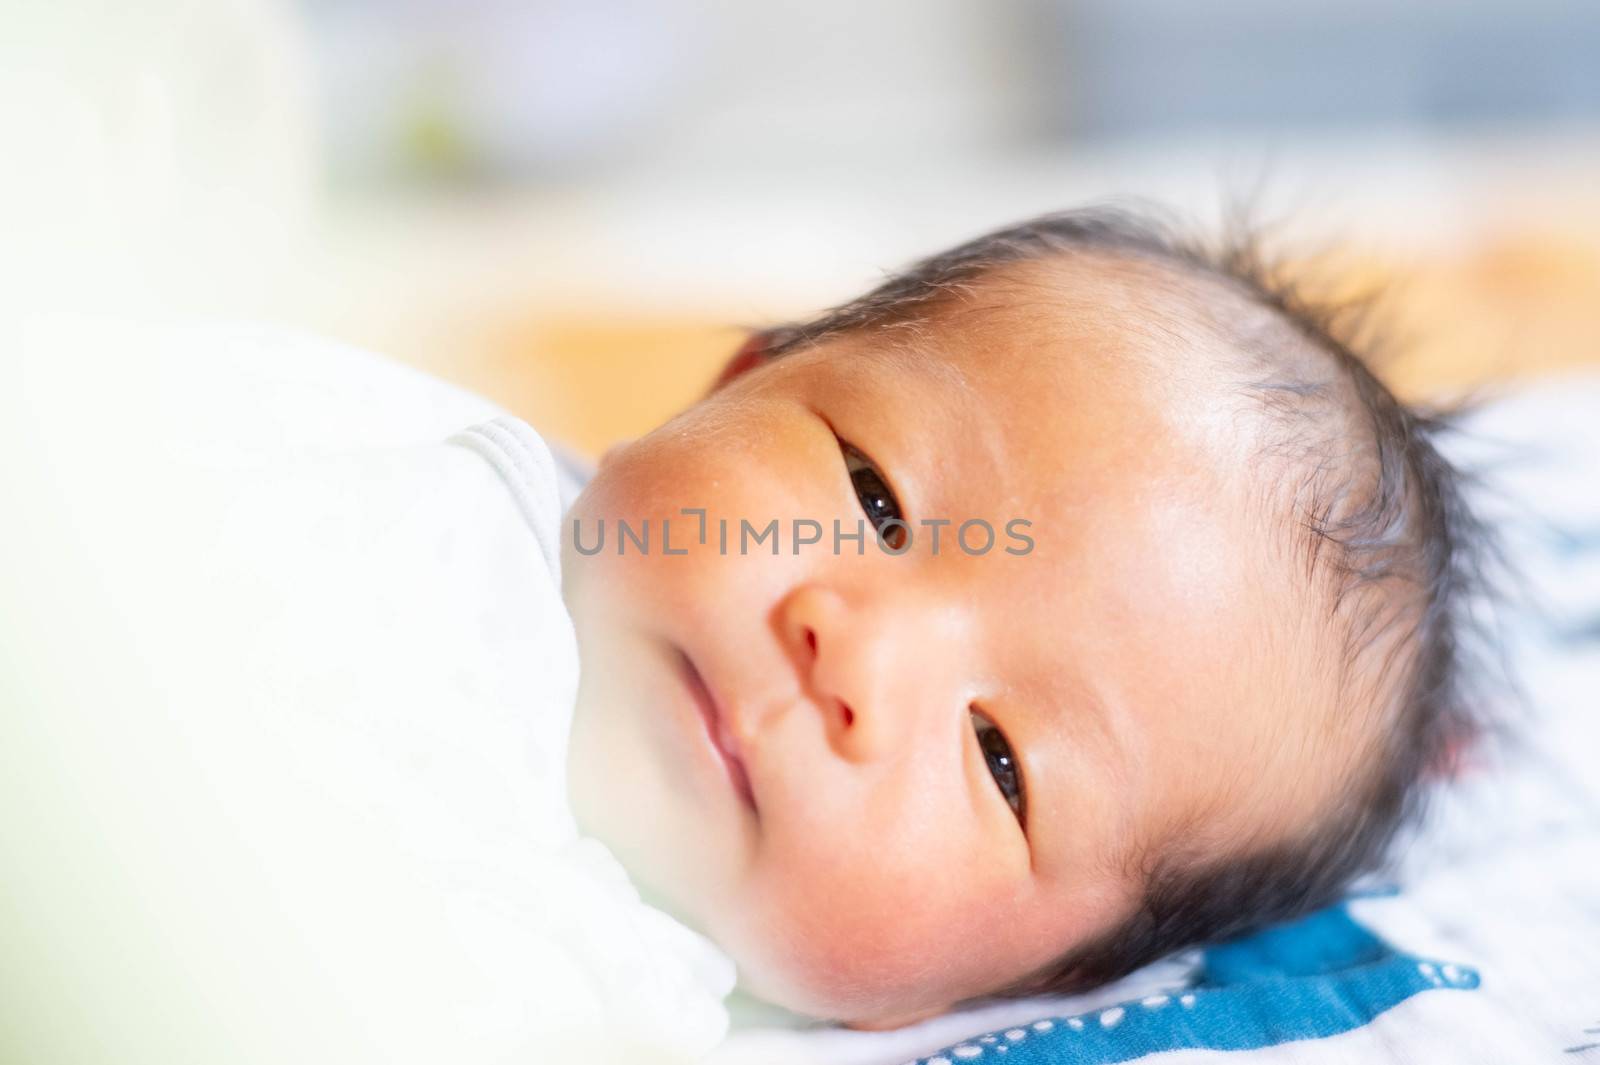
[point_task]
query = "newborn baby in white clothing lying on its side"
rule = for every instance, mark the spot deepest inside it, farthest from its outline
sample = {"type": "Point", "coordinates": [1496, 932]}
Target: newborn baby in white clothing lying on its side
{"type": "Point", "coordinates": [1070, 599]}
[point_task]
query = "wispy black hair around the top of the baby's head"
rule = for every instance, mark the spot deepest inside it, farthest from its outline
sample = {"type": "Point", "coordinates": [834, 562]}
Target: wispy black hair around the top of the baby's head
{"type": "Point", "coordinates": [1382, 524]}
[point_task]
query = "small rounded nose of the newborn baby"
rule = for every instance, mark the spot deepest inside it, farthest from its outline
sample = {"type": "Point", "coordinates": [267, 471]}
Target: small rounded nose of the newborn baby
{"type": "Point", "coordinates": [860, 666]}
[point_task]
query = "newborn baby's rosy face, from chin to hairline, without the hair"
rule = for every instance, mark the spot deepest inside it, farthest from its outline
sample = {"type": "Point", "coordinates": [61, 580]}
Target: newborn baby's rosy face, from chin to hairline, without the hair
{"type": "Point", "coordinates": [890, 783]}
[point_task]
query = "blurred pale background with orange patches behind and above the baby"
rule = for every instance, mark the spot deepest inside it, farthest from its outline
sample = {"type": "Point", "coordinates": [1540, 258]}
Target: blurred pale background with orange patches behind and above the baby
{"type": "Point", "coordinates": [577, 205]}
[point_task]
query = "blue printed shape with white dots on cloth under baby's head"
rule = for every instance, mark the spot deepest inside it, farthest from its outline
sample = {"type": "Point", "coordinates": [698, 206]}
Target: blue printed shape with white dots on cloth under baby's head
{"type": "Point", "coordinates": [1310, 979]}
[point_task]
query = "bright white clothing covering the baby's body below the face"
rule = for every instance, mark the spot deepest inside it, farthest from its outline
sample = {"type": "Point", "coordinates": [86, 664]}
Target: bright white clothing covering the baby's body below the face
{"type": "Point", "coordinates": [295, 685]}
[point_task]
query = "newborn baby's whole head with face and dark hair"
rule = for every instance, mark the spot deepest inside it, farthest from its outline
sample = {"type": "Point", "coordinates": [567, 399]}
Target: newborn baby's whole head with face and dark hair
{"type": "Point", "coordinates": [1180, 674]}
